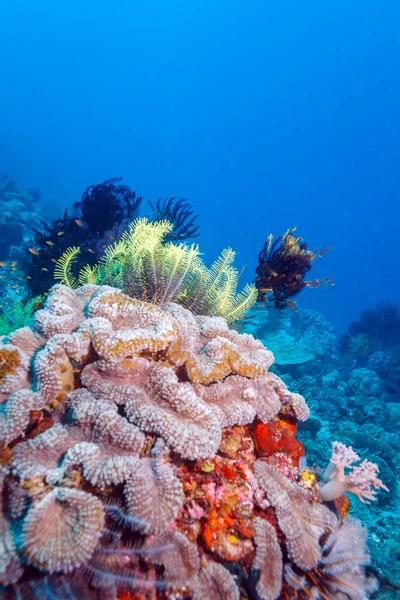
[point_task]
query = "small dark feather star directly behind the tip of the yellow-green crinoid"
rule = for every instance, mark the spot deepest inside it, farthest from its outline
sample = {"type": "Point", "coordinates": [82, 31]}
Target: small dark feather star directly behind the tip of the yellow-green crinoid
{"type": "Point", "coordinates": [180, 214]}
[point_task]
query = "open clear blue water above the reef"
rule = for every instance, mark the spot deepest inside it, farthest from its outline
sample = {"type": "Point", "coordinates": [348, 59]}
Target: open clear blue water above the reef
{"type": "Point", "coordinates": [264, 114]}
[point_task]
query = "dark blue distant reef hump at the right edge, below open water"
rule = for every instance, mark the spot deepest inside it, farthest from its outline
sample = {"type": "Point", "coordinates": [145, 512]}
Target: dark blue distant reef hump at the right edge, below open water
{"type": "Point", "coordinates": [381, 324]}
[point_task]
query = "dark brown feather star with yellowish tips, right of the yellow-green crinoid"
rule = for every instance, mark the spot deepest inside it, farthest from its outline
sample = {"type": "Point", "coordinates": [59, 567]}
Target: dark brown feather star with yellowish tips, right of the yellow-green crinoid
{"type": "Point", "coordinates": [282, 267]}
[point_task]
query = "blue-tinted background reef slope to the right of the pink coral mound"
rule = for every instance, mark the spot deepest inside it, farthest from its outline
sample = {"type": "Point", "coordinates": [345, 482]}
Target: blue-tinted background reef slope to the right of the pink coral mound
{"type": "Point", "coordinates": [352, 386]}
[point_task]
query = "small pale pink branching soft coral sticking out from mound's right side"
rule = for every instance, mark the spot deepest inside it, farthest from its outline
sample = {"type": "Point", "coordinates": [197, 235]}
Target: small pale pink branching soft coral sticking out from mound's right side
{"type": "Point", "coordinates": [359, 481]}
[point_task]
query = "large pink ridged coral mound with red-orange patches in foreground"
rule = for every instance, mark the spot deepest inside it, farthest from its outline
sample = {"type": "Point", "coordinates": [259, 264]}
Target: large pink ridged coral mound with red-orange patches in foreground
{"type": "Point", "coordinates": [149, 453]}
